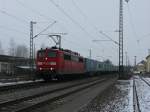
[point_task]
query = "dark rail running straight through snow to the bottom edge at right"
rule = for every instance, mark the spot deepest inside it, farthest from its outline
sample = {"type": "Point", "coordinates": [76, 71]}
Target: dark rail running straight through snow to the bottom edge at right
{"type": "Point", "coordinates": [136, 105]}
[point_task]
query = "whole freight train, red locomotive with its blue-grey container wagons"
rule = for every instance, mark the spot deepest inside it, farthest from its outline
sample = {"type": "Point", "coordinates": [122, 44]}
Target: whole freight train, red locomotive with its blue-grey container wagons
{"type": "Point", "coordinates": [61, 63]}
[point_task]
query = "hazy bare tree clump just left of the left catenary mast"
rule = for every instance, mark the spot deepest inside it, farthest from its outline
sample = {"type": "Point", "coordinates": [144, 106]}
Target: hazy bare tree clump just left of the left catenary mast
{"type": "Point", "coordinates": [22, 51]}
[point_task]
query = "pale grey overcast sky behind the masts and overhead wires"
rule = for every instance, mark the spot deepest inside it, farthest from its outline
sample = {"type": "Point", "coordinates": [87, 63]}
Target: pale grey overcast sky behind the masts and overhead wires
{"type": "Point", "coordinates": [82, 20]}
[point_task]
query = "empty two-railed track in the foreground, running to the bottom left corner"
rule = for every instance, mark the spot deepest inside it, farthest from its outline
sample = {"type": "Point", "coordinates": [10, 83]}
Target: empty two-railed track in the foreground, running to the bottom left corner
{"type": "Point", "coordinates": [26, 103]}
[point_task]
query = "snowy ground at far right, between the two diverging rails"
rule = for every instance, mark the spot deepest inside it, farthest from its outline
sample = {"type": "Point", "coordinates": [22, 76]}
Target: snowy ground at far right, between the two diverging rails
{"type": "Point", "coordinates": [143, 91]}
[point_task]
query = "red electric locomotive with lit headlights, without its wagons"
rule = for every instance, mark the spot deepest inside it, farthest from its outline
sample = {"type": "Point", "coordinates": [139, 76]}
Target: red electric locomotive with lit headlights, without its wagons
{"type": "Point", "coordinates": [58, 63]}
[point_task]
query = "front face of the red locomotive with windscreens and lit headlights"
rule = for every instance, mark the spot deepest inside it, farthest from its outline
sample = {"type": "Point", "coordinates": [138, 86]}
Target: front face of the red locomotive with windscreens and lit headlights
{"type": "Point", "coordinates": [47, 63]}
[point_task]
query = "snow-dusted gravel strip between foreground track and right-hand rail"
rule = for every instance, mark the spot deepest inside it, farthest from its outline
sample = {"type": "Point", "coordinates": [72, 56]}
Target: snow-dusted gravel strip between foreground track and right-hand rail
{"type": "Point", "coordinates": [118, 98]}
